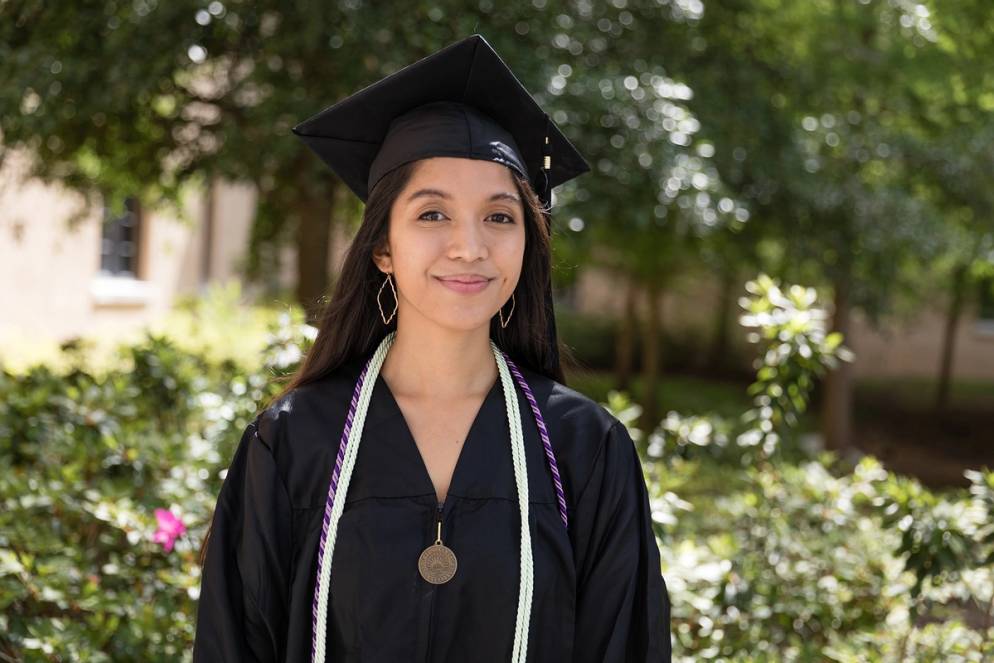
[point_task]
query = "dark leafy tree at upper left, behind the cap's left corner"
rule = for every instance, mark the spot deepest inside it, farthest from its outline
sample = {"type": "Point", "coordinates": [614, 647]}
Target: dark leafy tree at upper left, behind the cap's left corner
{"type": "Point", "coordinates": [148, 98]}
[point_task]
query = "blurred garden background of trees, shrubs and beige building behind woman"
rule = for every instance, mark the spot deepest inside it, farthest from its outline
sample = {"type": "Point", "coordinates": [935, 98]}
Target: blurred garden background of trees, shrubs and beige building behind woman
{"type": "Point", "coordinates": [779, 273]}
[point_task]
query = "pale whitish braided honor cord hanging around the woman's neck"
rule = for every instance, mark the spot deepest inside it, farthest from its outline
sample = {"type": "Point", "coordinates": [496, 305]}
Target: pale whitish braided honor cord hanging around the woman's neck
{"type": "Point", "coordinates": [520, 650]}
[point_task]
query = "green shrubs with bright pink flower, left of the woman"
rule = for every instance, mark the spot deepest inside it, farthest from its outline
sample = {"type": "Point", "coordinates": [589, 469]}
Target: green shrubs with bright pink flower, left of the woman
{"type": "Point", "coordinates": [91, 459]}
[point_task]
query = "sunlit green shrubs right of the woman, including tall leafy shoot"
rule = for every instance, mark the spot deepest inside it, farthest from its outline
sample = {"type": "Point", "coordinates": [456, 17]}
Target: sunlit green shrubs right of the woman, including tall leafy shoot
{"type": "Point", "coordinates": [774, 555]}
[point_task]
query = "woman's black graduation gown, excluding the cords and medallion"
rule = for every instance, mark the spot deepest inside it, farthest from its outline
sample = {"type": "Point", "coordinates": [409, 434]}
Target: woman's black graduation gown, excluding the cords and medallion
{"type": "Point", "coordinates": [598, 591]}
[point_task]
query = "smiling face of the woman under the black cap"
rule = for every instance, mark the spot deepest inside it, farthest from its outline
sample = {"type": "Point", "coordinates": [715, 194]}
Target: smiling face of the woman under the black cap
{"type": "Point", "coordinates": [456, 242]}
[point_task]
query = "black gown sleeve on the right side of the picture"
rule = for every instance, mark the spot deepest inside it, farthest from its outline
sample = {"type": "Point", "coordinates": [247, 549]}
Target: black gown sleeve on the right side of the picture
{"type": "Point", "coordinates": [623, 608]}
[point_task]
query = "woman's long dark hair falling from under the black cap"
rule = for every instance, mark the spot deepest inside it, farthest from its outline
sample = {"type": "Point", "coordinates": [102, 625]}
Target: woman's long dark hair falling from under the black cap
{"type": "Point", "coordinates": [351, 326]}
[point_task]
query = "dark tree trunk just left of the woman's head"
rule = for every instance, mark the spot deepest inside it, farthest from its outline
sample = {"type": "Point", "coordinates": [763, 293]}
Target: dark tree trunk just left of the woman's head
{"type": "Point", "coordinates": [313, 238]}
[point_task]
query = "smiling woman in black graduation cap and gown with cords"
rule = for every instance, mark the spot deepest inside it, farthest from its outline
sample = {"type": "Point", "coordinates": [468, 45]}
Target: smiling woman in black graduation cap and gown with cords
{"type": "Point", "coordinates": [426, 488]}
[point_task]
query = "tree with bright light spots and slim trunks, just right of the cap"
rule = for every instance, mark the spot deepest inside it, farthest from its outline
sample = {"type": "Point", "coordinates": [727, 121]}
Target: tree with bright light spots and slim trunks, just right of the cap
{"type": "Point", "coordinates": [654, 198]}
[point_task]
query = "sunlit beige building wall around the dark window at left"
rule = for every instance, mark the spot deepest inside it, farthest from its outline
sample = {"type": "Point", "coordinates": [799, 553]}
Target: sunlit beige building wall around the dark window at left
{"type": "Point", "coordinates": [50, 286]}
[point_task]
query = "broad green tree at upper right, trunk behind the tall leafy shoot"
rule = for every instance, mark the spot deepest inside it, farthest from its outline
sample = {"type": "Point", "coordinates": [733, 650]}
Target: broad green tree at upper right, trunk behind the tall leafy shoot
{"type": "Point", "coordinates": [810, 110]}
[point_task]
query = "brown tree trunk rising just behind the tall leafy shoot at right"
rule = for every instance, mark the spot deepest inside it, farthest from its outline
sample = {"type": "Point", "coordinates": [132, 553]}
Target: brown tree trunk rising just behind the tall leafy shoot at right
{"type": "Point", "coordinates": [837, 400]}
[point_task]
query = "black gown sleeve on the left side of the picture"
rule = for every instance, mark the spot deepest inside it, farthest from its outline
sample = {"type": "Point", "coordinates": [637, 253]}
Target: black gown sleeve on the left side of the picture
{"type": "Point", "coordinates": [243, 610]}
